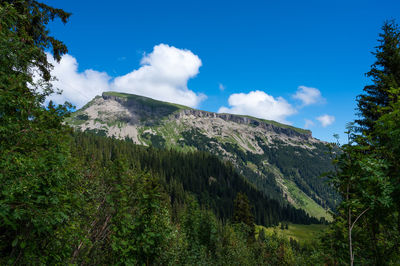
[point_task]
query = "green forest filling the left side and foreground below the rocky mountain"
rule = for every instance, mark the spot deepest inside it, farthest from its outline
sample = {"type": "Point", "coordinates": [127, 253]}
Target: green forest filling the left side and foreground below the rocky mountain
{"type": "Point", "coordinates": [68, 200]}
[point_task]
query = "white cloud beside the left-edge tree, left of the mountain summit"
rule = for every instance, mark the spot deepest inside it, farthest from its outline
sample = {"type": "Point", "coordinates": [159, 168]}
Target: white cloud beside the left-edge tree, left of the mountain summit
{"type": "Point", "coordinates": [77, 88]}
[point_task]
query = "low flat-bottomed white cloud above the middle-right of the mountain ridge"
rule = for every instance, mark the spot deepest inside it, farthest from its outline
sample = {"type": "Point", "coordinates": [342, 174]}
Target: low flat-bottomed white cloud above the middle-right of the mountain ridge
{"type": "Point", "coordinates": [259, 104]}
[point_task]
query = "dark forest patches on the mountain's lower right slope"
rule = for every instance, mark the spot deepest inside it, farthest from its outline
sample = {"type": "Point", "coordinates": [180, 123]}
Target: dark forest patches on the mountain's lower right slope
{"type": "Point", "coordinates": [303, 166]}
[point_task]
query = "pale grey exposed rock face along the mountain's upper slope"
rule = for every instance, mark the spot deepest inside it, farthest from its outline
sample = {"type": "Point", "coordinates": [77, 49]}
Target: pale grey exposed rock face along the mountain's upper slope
{"type": "Point", "coordinates": [226, 135]}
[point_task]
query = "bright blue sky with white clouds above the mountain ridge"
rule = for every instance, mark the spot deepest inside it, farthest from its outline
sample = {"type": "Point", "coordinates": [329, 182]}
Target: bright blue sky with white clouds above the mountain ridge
{"type": "Point", "coordinates": [249, 57]}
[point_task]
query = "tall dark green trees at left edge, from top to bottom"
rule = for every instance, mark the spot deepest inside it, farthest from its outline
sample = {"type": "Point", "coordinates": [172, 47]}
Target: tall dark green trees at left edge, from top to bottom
{"type": "Point", "coordinates": [36, 194]}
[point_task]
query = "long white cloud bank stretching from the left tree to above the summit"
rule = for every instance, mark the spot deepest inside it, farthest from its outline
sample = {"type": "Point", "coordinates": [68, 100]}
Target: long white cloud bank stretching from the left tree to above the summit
{"type": "Point", "coordinates": [163, 75]}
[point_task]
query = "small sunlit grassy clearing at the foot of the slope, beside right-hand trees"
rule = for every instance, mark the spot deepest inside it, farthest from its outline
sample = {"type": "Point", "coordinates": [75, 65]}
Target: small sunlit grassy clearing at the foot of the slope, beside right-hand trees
{"type": "Point", "coordinates": [300, 232]}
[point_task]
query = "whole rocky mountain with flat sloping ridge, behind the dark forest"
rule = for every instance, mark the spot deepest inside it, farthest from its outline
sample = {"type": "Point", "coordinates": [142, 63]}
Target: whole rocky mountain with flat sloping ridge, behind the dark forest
{"type": "Point", "coordinates": [283, 162]}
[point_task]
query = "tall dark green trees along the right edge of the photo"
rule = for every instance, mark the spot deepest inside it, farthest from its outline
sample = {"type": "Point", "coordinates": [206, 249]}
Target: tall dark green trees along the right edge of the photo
{"type": "Point", "coordinates": [367, 225]}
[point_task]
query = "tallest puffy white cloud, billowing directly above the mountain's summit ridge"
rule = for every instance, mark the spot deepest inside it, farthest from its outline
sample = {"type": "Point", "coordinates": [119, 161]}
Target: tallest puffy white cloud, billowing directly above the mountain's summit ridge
{"type": "Point", "coordinates": [163, 76]}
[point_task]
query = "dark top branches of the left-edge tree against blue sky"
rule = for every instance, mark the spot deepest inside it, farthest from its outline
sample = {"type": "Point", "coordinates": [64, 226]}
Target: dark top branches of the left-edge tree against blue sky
{"type": "Point", "coordinates": [25, 37]}
